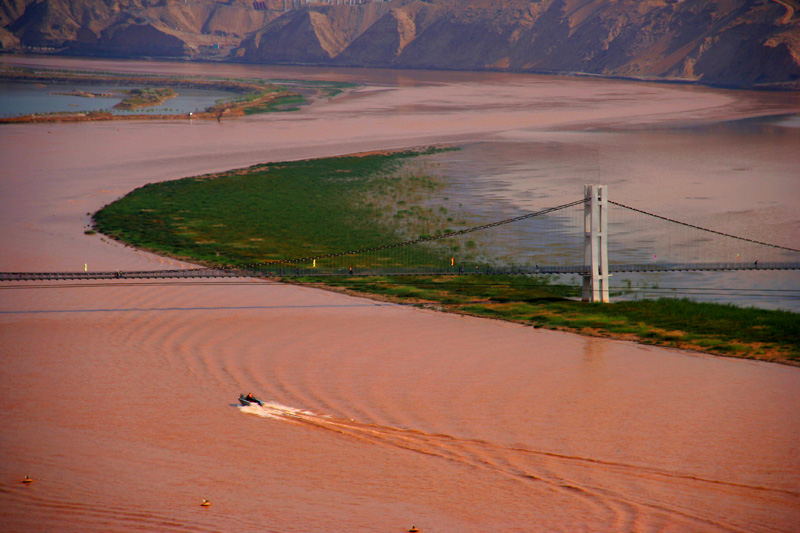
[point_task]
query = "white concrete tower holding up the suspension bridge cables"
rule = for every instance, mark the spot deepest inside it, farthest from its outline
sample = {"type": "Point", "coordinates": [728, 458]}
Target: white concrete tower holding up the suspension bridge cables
{"type": "Point", "coordinates": [595, 221]}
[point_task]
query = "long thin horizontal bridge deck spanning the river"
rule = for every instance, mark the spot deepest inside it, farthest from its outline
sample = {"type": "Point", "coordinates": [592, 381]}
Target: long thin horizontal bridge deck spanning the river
{"type": "Point", "coordinates": [295, 272]}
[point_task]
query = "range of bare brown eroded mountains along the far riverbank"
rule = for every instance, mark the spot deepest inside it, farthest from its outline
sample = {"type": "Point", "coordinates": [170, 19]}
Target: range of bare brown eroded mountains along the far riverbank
{"type": "Point", "coordinates": [728, 42]}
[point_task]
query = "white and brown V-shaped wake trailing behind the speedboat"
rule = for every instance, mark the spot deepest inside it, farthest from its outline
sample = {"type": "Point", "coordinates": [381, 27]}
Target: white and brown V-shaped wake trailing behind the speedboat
{"type": "Point", "coordinates": [618, 488]}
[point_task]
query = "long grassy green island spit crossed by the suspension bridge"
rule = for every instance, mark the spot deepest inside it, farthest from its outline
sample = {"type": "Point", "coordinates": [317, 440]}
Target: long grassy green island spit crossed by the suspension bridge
{"type": "Point", "coordinates": [269, 214]}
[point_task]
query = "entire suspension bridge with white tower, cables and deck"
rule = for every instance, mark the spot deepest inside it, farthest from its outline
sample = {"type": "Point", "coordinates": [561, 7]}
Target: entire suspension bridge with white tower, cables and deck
{"type": "Point", "coordinates": [592, 237]}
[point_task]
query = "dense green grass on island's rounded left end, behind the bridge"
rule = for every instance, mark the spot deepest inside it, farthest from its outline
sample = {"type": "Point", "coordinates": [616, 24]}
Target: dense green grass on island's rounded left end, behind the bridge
{"type": "Point", "coordinates": [265, 213]}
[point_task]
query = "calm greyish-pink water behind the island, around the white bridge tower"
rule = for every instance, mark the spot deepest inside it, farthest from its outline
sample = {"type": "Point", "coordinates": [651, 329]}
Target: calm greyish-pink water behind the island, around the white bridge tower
{"type": "Point", "coordinates": [734, 176]}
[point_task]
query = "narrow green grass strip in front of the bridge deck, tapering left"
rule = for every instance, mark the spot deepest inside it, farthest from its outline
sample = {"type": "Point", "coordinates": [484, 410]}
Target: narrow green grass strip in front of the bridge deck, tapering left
{"type": "Point", "coordinates": [541, 302]}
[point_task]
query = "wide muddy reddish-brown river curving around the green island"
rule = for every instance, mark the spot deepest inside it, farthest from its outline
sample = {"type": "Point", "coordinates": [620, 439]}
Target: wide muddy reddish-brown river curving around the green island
{"type": "Point", "coordinates": [119, 400]}
